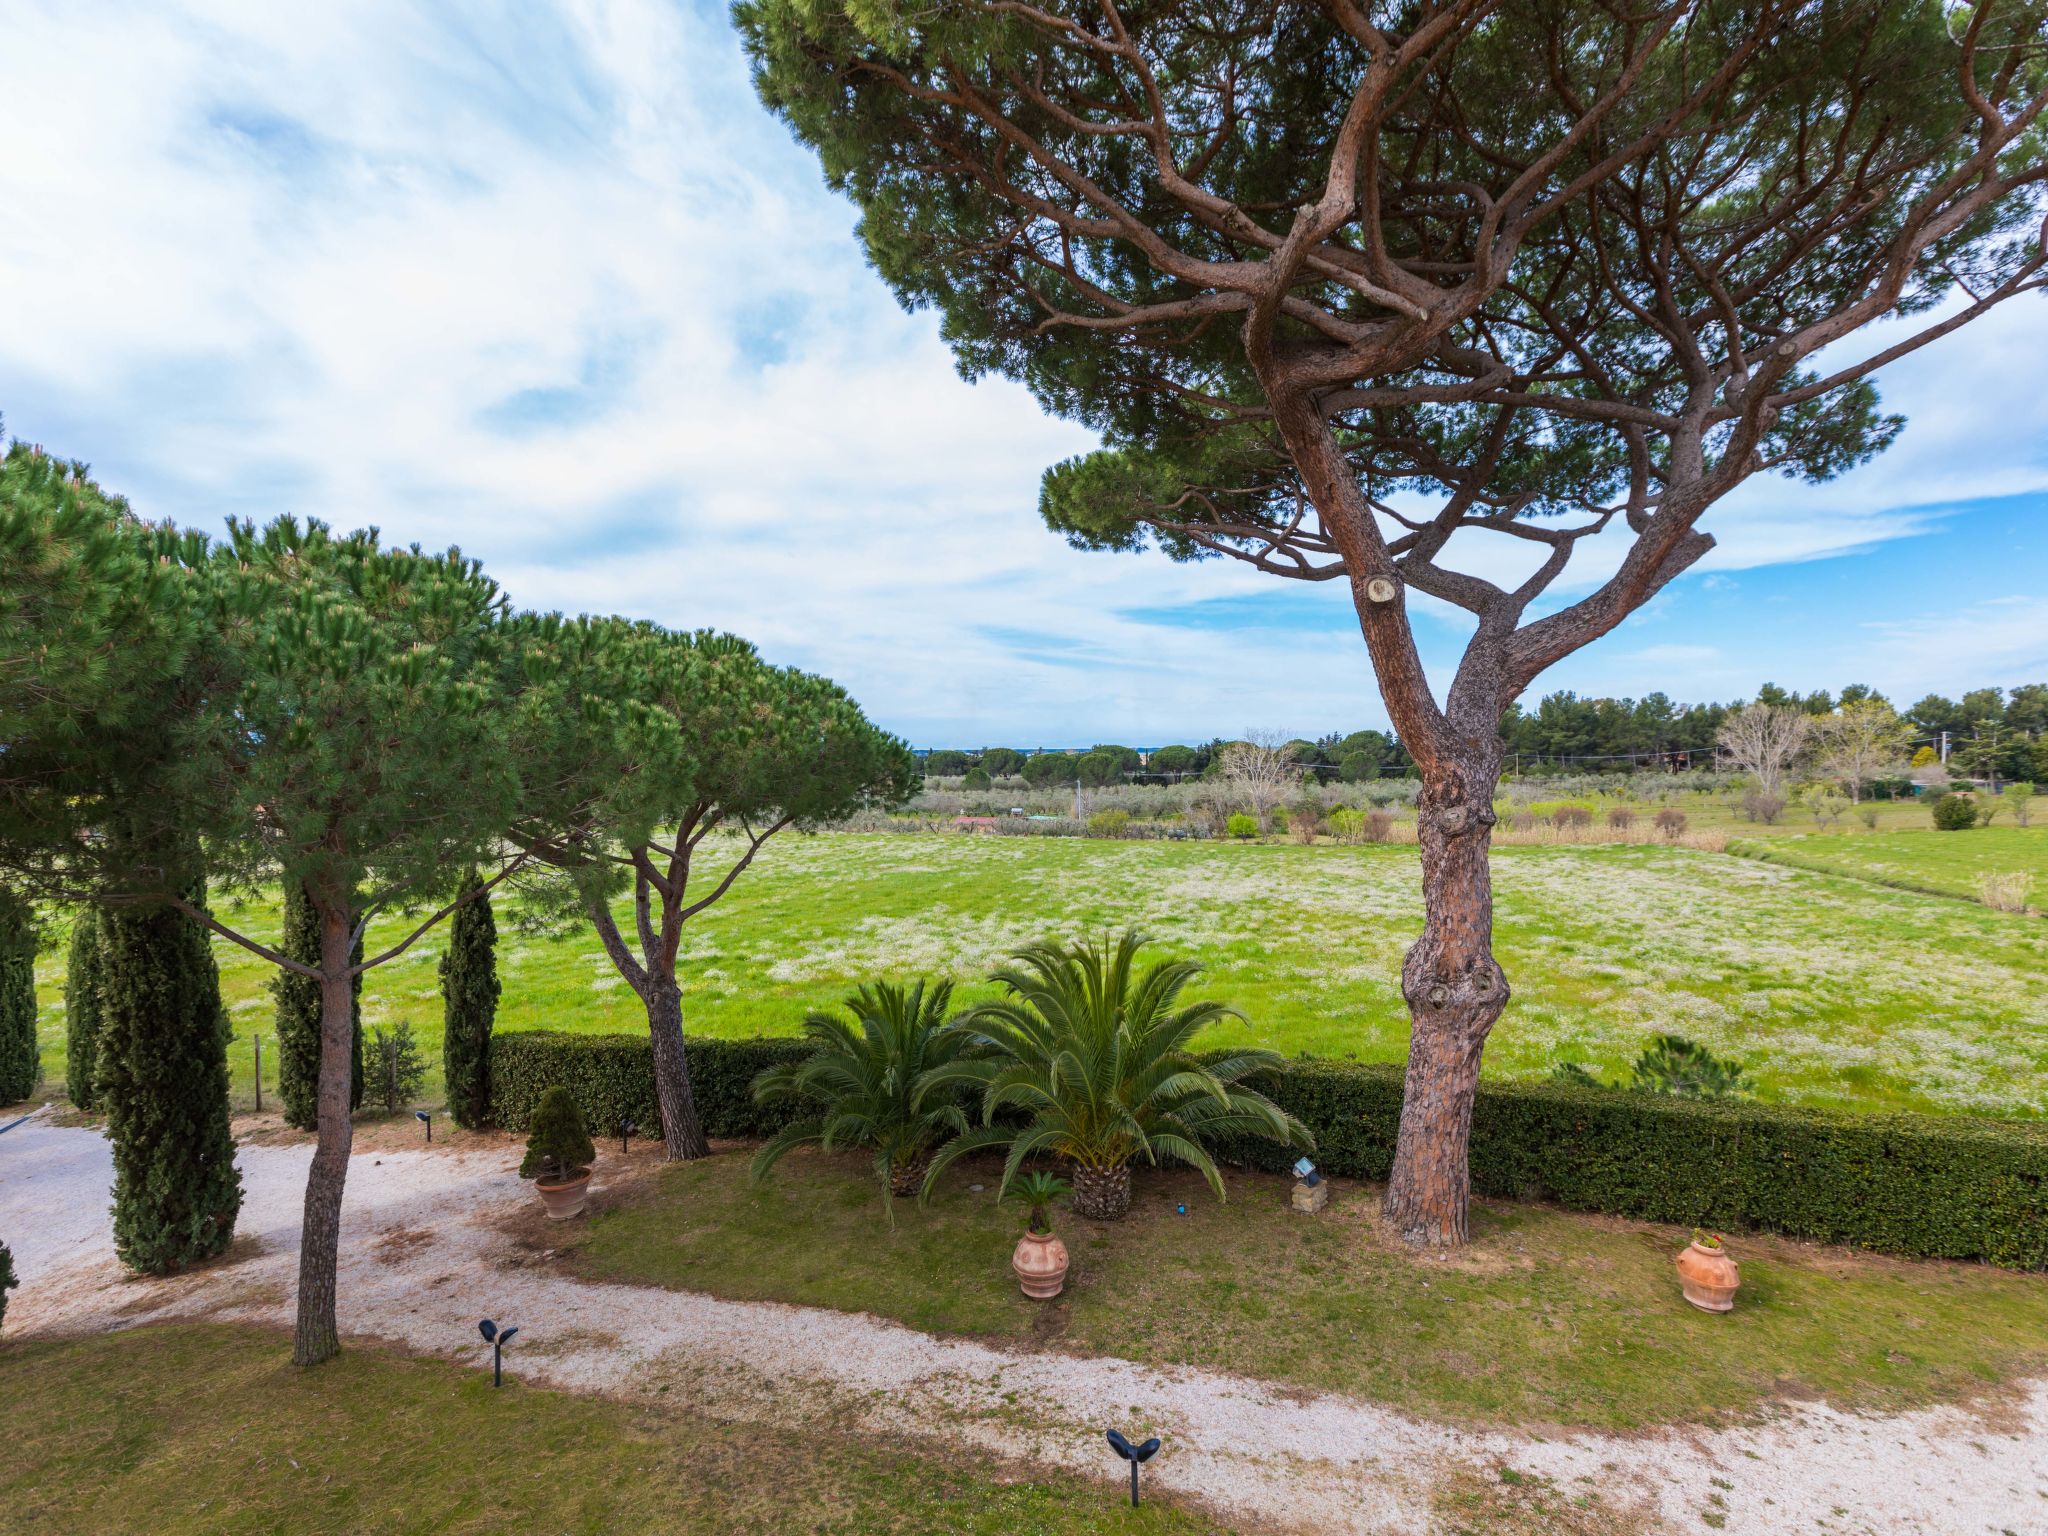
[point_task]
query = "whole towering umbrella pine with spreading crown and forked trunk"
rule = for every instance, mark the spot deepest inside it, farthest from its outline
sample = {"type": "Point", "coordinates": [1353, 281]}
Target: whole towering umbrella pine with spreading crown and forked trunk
{"type": "Point", "coordinates": [1359, 288]}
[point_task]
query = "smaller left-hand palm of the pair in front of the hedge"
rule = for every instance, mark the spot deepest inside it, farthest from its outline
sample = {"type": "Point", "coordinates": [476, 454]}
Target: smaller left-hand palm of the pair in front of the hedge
{"type": "Point", "coordinates": [865, 1082]}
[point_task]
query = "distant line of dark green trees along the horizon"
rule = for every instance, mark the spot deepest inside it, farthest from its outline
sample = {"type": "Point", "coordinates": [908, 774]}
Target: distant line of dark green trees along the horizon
{"type": "Point", "coordinates": [1990, 732]}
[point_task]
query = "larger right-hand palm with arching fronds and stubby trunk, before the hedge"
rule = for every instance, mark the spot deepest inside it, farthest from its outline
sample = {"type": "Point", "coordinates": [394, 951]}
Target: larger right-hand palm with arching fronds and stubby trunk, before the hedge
{"type": "Point", "coordinates": [1099, 1058]}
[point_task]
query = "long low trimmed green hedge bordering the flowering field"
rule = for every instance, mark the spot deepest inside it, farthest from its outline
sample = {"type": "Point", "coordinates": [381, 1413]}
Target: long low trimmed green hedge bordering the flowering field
{"type": "Point", "coordinates": [1914, 1185]}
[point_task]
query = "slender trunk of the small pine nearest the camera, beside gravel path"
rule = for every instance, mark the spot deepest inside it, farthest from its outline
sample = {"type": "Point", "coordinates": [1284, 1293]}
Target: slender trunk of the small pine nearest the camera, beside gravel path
{"type": "Point", "coordinates": [314, 1334]}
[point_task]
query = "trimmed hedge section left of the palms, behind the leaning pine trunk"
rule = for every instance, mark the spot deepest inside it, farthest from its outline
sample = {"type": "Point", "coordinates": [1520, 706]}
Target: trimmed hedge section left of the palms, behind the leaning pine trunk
{"type": "Point", "coordinates": [611, 1078]}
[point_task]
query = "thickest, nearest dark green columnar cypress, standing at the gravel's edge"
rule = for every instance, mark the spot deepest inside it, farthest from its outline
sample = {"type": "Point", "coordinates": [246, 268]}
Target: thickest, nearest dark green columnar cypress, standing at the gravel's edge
{"type": "Point", "coordinates": [163, 1080]}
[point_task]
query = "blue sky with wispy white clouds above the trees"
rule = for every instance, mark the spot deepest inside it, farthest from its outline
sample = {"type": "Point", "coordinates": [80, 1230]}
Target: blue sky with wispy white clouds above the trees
{"type": "Point", "coordinates": [546, 282]}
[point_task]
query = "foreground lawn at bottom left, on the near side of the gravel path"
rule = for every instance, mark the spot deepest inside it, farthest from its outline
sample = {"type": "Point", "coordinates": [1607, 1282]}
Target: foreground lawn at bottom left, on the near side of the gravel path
{"type": "Point", "coordinates": [206, 1431]}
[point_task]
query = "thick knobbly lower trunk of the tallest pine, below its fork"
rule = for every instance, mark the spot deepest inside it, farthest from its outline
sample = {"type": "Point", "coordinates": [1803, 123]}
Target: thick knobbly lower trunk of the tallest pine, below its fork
{"type": "Point", "coordinates": [1455, 992]}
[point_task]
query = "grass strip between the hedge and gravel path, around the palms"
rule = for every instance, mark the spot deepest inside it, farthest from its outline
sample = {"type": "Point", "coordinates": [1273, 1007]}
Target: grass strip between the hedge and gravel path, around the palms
{"type": "Point", "coordinates": [1551, 1318]}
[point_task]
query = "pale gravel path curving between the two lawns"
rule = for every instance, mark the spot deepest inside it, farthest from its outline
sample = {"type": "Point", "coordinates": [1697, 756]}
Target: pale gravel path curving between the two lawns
{"type": "Point", "coordinates": [427, 1254]}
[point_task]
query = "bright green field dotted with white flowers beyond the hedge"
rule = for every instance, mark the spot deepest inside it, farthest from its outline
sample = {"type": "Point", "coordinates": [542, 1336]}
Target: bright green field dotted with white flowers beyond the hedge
{"type": "Point", "coordinates": [1832, 988]}
